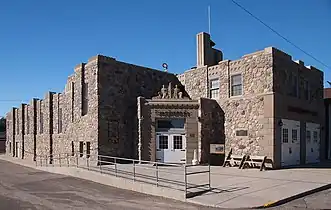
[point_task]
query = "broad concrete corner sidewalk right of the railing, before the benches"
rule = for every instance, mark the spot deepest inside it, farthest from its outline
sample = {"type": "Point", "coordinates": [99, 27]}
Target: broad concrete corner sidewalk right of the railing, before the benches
{"type": "Point", "coordinates": [249, 188]}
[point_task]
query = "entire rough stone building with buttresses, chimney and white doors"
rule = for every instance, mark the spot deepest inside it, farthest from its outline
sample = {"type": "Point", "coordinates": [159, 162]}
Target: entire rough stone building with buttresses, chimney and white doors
{"type": "Point", "coordinates": [261, 104]}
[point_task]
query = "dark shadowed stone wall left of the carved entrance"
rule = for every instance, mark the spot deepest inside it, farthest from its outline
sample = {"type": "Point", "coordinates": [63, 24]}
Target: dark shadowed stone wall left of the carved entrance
{"type": "Point", "coordinates": [119, 86]}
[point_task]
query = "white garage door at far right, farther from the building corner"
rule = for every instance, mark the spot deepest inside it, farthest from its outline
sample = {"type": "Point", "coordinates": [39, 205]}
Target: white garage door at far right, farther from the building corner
{"type": "Point", "coordinates": [312, 143]}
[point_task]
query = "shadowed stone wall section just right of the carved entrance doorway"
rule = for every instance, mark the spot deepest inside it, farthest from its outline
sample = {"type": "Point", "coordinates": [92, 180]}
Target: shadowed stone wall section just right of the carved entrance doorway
{"type": "Point", "coordinates": [211, 130]}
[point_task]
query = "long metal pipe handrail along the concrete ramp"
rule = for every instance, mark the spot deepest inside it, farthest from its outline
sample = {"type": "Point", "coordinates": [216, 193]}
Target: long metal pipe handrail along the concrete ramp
{"type": "Point", "coordinates": [153, 169]}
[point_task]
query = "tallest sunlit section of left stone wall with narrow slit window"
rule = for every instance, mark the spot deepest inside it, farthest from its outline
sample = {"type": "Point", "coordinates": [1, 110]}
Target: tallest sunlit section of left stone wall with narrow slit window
{"type": "Point", "coordinates": [76, 127]}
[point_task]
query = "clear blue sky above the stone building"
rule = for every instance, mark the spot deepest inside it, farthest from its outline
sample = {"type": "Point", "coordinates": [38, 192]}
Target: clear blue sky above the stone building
{"type": "Point", "coordinates": [42, 41]}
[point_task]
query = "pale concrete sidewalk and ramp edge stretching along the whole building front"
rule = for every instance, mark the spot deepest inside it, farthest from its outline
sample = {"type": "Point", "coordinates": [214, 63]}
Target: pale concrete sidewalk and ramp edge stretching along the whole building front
{"type": "Point", "coordinates": [231, 187]}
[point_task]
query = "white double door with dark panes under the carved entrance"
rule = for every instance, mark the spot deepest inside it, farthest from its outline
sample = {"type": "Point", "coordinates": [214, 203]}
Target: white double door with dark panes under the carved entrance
{"type": "Point", "coordinates": [171, 148]}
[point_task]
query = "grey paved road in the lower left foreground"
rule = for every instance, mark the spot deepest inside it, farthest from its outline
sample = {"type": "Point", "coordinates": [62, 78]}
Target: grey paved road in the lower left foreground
{"type": "Point", "coordinates": [27, 188]}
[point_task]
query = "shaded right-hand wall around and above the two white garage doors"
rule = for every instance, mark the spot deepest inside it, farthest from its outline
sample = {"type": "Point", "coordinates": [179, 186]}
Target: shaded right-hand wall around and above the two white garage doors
{"type": "Point", "coordinates": [296, 101]}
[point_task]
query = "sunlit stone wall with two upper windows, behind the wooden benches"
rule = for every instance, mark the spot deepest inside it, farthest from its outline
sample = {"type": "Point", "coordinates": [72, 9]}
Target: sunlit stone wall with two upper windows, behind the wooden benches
{"type": "Point", "coordinates": [244, 112]}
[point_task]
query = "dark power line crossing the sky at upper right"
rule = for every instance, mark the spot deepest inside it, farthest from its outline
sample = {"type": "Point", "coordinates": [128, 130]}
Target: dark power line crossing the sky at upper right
{"type": "Point", "coordinates": [280, 35]}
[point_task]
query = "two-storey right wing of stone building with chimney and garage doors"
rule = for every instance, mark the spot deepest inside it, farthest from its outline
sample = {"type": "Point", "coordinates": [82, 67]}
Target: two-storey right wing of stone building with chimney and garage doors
{"type": "Point", "coordinates": [273, 105]}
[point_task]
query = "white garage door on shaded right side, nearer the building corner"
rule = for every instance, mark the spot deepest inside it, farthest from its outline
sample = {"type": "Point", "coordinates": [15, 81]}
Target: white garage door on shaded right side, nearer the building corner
{"type": "Point", "coordinates": [290, 141]}
